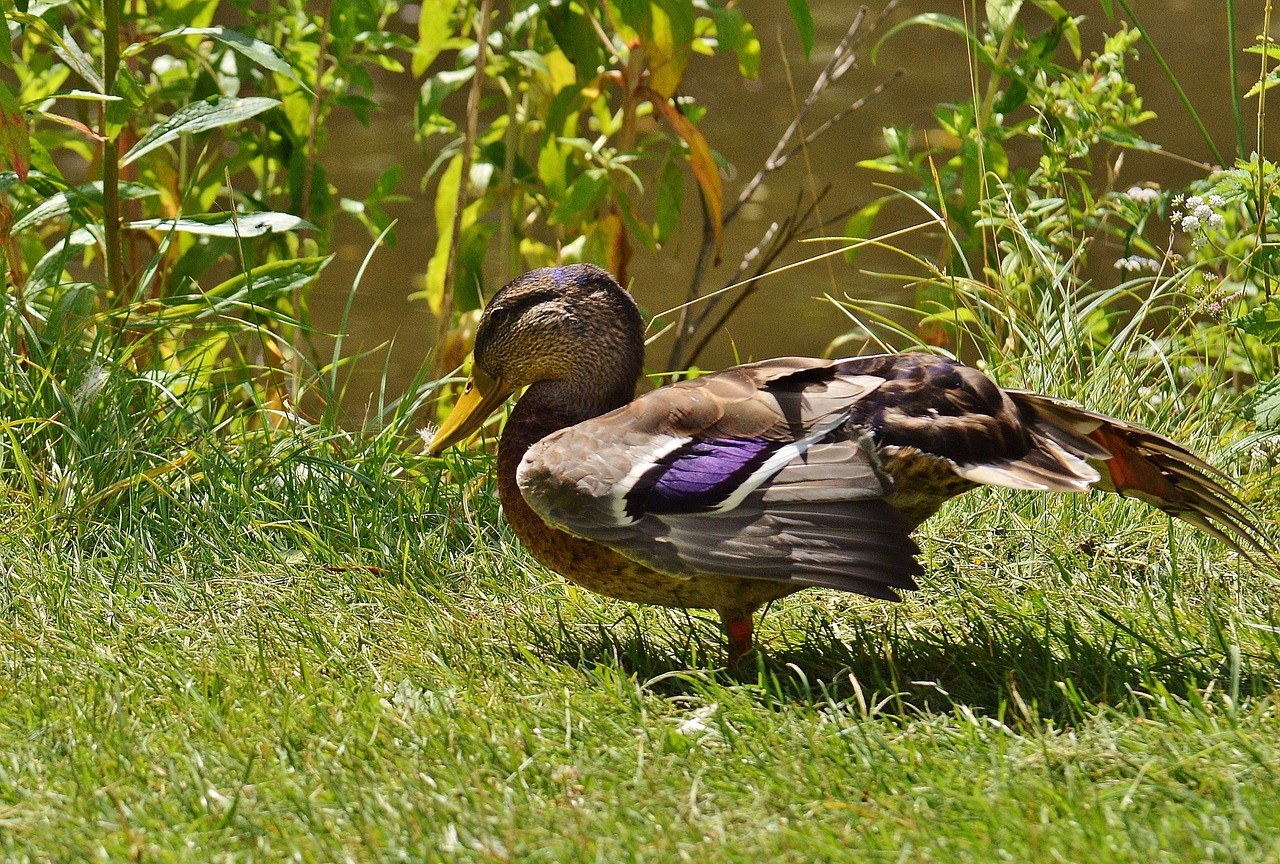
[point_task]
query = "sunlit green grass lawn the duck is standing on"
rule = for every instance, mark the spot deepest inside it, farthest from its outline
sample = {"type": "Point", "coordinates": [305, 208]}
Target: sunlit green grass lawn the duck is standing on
{"type": "Point", "coordinates": [310, 648]}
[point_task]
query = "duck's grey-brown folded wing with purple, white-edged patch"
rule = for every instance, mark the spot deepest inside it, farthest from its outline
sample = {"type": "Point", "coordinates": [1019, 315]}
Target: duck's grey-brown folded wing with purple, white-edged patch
{"type": "Point", "coordinates": [755, 472]}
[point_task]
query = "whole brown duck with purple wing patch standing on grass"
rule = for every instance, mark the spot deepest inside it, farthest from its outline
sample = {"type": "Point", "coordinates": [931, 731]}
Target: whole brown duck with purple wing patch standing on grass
{"type": "Point", "coordinates": [737, 488]}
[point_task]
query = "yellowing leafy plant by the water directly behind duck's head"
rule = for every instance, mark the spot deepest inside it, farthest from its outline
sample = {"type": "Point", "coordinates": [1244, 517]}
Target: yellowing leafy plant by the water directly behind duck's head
{"type": "Point", "coordinates": [586, 144]}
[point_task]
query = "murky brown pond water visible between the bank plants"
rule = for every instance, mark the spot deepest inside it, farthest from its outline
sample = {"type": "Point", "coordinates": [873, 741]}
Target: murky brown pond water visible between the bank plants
{"type": "Point", "coordinates": [744, 121]}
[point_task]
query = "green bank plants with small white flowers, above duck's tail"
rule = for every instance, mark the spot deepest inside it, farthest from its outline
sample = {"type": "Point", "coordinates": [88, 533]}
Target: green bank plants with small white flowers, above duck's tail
{"type": "Point", "coordinates": [1023, 263]}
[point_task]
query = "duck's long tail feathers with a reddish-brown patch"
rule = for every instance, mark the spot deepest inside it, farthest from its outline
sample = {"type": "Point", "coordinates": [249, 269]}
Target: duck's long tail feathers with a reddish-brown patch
{"type": "Point", "coordinates": [1137, 463]}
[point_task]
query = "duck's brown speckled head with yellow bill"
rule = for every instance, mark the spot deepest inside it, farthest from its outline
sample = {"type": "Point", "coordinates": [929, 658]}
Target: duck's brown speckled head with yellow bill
{"type": "Point", "coordinates": [570, 324]}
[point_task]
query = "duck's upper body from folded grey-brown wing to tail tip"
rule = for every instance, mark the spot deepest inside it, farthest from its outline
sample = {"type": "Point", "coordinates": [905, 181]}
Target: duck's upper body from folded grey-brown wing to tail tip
{"type": "Point", "coordinates": [815, 473]}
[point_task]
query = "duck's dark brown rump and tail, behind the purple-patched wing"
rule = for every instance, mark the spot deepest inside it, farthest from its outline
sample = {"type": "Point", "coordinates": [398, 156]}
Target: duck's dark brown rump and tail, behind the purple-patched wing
{"type": "Point", "coordinates": [936, 408]}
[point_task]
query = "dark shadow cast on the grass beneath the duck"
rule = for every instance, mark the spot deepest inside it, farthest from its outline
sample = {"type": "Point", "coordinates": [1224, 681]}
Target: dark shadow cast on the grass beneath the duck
{"type": "Point", "coordinates": [1009, 669]}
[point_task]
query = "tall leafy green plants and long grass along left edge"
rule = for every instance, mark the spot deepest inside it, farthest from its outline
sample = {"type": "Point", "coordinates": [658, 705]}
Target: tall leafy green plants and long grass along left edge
{"type": "Point", "coordinates": [163, 221]}
